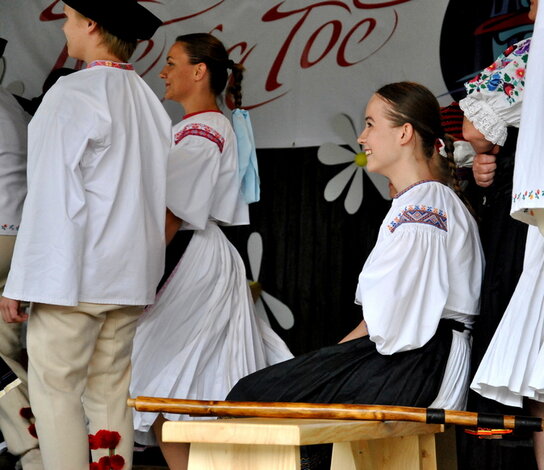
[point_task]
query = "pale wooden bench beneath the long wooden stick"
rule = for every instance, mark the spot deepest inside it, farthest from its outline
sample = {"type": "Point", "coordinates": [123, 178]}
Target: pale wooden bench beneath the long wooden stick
{"type": "Point", "coordinates": [274, 444]}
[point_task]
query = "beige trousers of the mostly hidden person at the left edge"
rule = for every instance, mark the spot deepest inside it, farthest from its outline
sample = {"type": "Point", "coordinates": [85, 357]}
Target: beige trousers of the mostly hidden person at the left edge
{"type": "Point", "coordinates": [13, 426]}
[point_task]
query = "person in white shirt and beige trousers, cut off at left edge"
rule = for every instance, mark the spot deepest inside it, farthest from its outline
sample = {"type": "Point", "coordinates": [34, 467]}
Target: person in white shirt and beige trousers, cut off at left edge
{"type": "Point", "coordinates": [13, 134]}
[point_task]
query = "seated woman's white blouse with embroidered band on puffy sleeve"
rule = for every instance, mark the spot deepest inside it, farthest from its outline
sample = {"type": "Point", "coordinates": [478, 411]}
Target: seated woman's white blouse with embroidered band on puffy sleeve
{"type": "Point", "coordinates": [427, 264]}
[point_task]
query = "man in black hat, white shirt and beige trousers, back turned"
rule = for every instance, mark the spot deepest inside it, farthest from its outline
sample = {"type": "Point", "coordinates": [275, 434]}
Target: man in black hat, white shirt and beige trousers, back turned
{"type": "Point", "coordinates": [89, 252]}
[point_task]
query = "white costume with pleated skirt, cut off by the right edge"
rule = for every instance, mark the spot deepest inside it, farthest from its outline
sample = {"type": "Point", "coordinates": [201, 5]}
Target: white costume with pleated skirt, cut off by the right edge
{"type": "Point", "coordinates": [512, 366]}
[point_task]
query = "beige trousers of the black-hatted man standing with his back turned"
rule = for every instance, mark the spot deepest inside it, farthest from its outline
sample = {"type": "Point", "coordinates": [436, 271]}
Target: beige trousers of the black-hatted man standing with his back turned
{"type": "Point", "coordinates": [79, 374]}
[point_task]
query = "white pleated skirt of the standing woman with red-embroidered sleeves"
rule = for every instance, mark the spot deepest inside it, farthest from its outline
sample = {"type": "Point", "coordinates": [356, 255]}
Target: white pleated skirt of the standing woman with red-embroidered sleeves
{"type": "Point", "coordinates": [201, 335]}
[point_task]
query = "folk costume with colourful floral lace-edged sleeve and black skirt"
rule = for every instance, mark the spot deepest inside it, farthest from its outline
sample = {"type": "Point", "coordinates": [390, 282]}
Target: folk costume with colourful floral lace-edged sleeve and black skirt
{"type": "Point", "coordinates": [493, 103]}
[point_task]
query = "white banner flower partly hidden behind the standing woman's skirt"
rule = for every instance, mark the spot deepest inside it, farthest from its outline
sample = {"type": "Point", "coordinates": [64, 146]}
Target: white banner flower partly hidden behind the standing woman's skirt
{"type": "Point", "coordinates": [281, 312]}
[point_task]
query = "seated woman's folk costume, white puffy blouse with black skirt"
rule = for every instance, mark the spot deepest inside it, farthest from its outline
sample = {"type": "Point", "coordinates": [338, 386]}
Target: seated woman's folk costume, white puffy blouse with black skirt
{"type": "Point", "coordinates": [419, 291]}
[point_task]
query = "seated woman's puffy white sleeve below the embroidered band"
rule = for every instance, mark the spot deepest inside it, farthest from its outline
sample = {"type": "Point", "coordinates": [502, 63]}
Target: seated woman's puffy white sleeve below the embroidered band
{"type": "Point", "coordinates": [403, 287]}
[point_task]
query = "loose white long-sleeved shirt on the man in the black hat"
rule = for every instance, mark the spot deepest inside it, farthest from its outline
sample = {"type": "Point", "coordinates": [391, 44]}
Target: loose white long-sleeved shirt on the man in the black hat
{"type": "Point", "coordinates": [92, 228]}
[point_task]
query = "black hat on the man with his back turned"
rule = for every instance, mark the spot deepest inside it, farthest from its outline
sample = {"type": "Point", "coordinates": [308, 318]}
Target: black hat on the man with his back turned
{"type": "Point", "coordinates": [126, 19]}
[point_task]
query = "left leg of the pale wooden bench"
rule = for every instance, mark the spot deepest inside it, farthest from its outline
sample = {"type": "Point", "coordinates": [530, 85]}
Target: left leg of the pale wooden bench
{"type": "Point", "coordinates": [203, 456]}
